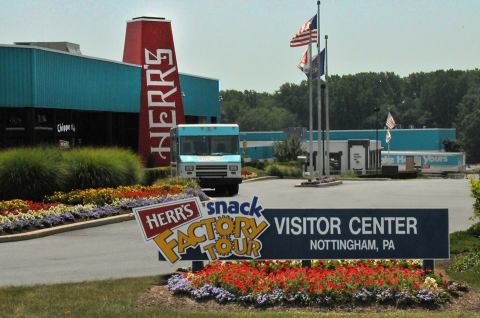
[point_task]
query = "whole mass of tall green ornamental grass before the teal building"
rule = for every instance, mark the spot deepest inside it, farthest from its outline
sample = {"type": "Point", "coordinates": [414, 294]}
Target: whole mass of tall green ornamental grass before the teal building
{"type": "Point", "coordinates": [32, 173]}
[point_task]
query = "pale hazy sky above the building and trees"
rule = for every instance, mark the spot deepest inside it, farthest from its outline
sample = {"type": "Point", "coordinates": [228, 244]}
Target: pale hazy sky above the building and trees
{"type": "Point", "coordinates": [245, 43]}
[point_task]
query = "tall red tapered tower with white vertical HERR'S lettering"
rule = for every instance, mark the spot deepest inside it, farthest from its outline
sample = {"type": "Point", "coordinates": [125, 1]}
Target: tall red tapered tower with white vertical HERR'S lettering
{"type": "Point", "coordinates": [149, 43]}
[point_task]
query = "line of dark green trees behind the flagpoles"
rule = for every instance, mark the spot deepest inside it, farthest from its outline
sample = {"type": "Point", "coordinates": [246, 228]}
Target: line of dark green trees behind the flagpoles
{"type": "Point", "coordinates": [440, 99]}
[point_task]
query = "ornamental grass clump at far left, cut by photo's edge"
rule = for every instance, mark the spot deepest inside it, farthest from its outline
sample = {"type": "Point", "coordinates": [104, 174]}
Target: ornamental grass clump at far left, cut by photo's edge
{"type": "Point", "coordinates": [30, 173]}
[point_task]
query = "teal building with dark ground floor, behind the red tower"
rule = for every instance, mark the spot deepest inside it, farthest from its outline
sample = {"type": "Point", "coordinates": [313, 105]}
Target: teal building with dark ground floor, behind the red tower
{"type": "Point", "coordinates": [52, 94]}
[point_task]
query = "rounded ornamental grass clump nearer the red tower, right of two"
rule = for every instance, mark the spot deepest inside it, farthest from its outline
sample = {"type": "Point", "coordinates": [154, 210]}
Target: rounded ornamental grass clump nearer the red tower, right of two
{"type": "Point", "coordinates": [101, 167]}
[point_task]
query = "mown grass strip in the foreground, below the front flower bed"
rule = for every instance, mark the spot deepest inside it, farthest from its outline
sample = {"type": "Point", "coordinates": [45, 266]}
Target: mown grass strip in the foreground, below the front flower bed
{"type": "Point", "coordinates": [117, 298]}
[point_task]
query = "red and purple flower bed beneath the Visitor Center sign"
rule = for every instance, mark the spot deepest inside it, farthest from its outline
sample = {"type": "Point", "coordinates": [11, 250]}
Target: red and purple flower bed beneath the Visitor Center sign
{"type": "Point", "coordinates": [325, 283]}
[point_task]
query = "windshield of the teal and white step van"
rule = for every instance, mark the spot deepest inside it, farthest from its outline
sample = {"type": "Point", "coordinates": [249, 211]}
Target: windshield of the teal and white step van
{"type": "Point", "coordinates": [209, 145]}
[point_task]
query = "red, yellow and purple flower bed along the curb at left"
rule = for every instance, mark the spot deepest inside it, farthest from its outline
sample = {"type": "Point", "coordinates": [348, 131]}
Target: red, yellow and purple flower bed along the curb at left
{"type": "Point", "coordinates": [80, 205]}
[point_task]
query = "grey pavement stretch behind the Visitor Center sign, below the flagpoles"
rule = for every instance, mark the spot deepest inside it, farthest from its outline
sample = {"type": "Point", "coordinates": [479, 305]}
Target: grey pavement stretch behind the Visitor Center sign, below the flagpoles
{"type": "Point", "coordinates": [453, 194]}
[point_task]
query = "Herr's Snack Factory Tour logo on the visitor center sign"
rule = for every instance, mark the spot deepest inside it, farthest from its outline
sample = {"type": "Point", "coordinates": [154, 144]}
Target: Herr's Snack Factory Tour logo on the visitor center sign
{"type": "Point", "coordinates": [221, 229]}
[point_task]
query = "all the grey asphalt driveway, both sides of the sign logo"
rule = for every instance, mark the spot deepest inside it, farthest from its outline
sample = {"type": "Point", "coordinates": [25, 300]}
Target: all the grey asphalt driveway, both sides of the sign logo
{"type": "Point", "coordinates": [118, 250]}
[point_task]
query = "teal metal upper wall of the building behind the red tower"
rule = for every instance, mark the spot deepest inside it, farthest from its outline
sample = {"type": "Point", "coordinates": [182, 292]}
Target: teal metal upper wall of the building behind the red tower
{"type": "Point", "coordinates": [34, 77]}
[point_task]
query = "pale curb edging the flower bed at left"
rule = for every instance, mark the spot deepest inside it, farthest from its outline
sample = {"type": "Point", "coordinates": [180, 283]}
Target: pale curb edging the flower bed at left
{"type": "Point", "coordinates": [66, 228]}
